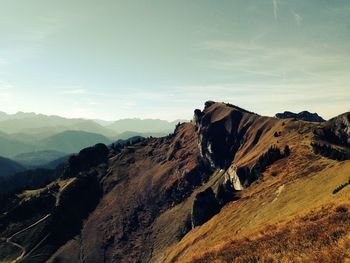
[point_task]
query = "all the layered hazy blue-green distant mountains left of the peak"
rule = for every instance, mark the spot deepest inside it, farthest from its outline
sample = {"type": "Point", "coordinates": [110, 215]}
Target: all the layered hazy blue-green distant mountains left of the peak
{"type": "Point", "coordinates": [37, 139]}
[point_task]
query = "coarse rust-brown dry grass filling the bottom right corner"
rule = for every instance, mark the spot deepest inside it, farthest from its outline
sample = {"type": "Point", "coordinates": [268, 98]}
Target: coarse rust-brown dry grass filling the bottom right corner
{"type": "Point", "coordinates": [319, 236]}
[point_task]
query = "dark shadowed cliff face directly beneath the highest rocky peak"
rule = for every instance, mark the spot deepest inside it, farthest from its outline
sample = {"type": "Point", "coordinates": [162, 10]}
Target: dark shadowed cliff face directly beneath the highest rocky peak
{"type": "Point", "coordinates": [219, 134]}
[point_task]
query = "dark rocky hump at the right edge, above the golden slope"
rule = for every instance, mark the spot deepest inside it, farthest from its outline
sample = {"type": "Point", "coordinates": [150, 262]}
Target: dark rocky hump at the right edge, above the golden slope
{"type": "Point", "coordinates": [336, 130]}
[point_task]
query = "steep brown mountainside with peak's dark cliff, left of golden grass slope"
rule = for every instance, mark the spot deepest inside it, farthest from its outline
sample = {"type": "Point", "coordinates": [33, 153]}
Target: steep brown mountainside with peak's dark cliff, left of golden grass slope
{"type": "Point", "coordinates": [151, 182]}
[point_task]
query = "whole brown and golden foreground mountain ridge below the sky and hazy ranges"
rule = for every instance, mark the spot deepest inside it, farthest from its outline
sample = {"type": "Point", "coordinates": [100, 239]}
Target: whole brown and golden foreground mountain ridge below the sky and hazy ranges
{"type": "Point", "coordinates": [229, 186]}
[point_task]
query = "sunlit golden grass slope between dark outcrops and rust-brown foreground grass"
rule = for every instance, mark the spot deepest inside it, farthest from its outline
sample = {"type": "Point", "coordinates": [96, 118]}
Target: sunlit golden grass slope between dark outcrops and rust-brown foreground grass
{"type": "Point", "coordinates": [304, 182]}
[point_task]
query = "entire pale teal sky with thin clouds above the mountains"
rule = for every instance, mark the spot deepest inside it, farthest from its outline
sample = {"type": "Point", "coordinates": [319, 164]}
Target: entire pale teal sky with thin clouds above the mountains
{"type": "Point", "coordinates": [163, 59]}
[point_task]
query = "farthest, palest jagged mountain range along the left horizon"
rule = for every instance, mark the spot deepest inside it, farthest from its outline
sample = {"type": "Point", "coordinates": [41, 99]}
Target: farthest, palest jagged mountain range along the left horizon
{"type": "Point", "coordinates": [40, 125]}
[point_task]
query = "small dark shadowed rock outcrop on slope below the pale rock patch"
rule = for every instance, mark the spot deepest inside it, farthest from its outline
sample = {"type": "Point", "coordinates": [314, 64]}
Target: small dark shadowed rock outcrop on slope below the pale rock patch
{"type": "Point", "coordinates": [205, 206]}
